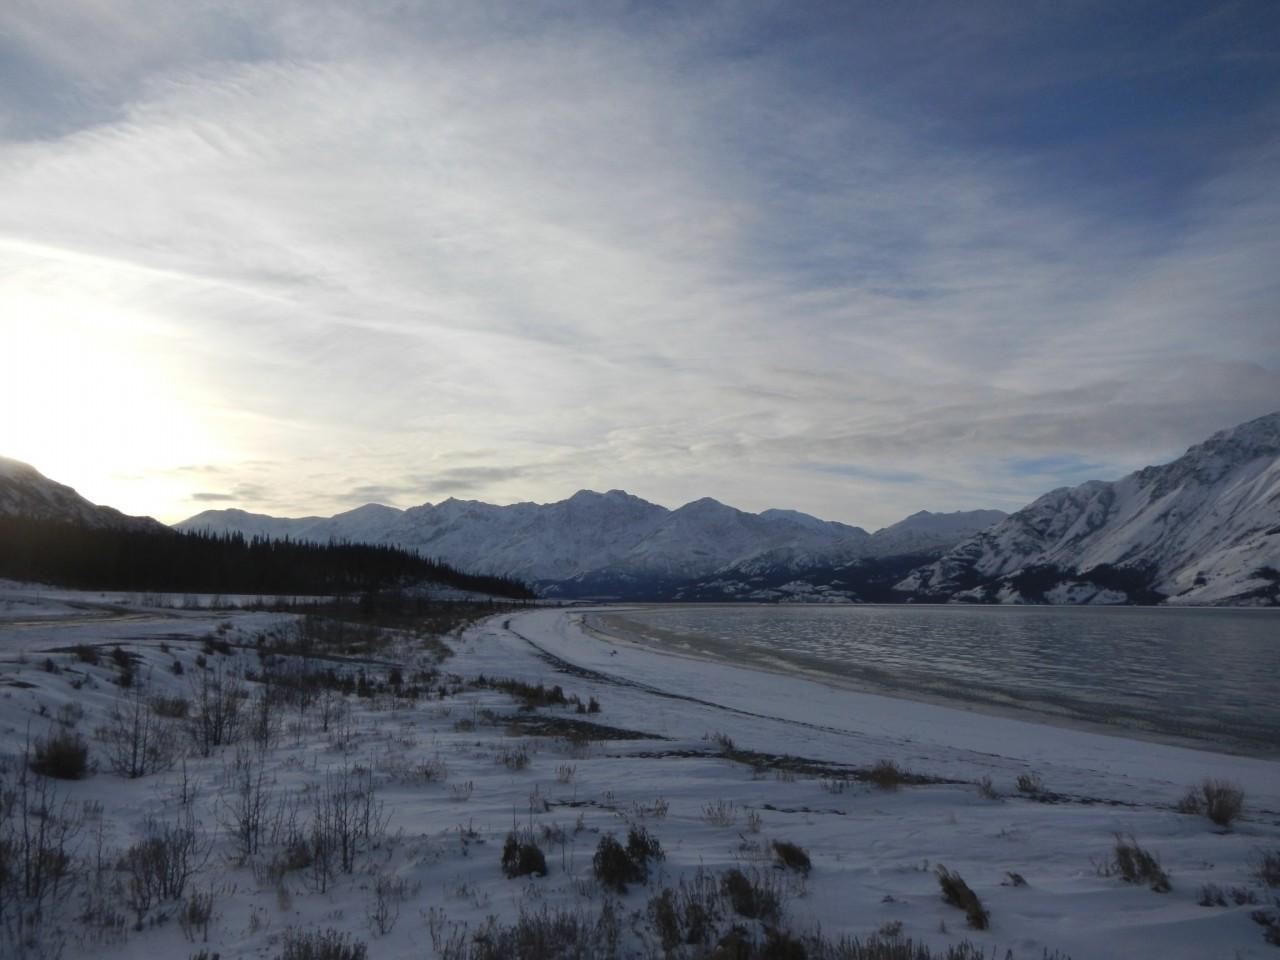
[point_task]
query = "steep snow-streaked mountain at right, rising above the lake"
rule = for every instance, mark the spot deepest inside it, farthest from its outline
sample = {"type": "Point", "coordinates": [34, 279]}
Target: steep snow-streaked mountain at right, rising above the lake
{"type": "Point", "coordinates": [1203, 529]}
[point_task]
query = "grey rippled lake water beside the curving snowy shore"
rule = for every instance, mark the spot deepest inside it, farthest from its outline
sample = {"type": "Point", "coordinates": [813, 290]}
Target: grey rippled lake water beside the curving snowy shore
{"type": "Point", "coordinates": [1209, 676]}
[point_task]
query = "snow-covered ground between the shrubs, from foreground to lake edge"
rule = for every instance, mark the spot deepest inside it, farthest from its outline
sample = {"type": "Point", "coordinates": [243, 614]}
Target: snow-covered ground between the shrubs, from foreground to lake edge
{"type": "Point", "coordinates": [447, 771]}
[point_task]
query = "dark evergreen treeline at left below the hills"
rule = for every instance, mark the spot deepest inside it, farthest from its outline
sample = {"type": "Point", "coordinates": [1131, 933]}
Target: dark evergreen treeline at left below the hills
{"type": "Point", "coordinates": [68, 555]}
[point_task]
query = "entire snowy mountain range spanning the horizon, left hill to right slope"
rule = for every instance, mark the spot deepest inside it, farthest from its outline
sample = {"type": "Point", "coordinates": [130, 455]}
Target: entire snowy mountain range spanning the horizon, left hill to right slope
{"type": "Point", "coordinates": [1203, 529]}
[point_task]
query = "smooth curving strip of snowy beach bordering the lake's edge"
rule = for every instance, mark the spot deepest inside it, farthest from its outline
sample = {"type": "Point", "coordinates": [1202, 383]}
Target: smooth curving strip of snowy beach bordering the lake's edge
{"type": "Point", "coordinates": [862, 728]}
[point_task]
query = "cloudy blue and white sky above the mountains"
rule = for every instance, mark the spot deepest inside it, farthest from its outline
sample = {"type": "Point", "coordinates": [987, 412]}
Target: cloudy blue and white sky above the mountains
{"type": "Point", "coordinates": [854, 259]}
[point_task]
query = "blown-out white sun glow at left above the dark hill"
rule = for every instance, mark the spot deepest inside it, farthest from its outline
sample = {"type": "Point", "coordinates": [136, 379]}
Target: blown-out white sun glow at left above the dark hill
{"type": "Point", "coordinates": [90, 399]}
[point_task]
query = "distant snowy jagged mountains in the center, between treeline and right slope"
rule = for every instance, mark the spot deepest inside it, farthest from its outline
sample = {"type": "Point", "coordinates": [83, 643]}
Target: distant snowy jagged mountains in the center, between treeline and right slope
{"type": "Point", "coordinates": [612, 543]}
